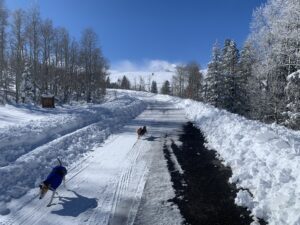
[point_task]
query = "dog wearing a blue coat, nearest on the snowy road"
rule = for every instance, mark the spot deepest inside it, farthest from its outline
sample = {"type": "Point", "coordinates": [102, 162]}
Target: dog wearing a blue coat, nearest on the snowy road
{"type": "Point", "coordinates": [53, 180]}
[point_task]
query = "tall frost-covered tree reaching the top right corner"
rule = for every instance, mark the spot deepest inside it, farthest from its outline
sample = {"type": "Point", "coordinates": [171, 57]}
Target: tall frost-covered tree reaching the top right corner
{"type": "Point", "coordinates": [275, 35]}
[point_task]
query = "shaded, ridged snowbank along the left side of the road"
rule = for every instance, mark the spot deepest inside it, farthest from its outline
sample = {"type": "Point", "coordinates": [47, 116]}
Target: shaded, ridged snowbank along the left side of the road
{"type": "Point", "coordinates": [66, 133]}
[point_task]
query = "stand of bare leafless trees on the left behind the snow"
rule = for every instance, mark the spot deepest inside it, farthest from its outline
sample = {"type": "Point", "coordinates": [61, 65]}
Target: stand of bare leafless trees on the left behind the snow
{"type": "Point", "coordinates": [37, 58]}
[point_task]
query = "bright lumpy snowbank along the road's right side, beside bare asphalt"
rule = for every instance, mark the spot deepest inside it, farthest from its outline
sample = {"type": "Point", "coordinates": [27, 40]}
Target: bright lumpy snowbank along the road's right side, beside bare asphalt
{"type": "Point", "coordinates": [265, 160]}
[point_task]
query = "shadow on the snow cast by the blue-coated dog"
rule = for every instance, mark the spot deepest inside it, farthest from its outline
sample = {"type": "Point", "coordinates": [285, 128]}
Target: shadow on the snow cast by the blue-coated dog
{"type": "Point", "coordinates": [76, 205]}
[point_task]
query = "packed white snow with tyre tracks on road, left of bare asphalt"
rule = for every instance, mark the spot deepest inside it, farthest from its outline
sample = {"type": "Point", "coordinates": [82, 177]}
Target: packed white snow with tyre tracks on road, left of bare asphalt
{"type": "Point", "coordinates": [106, 185]}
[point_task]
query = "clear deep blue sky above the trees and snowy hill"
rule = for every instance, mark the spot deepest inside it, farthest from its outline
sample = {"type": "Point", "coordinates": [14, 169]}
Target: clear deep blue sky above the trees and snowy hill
{"type": "Point", "coordinates": [142, 30]}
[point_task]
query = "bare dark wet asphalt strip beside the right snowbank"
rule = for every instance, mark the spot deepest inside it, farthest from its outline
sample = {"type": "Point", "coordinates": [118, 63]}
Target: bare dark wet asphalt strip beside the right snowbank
{"type": "Point", "coordinates": [203, 194]}
